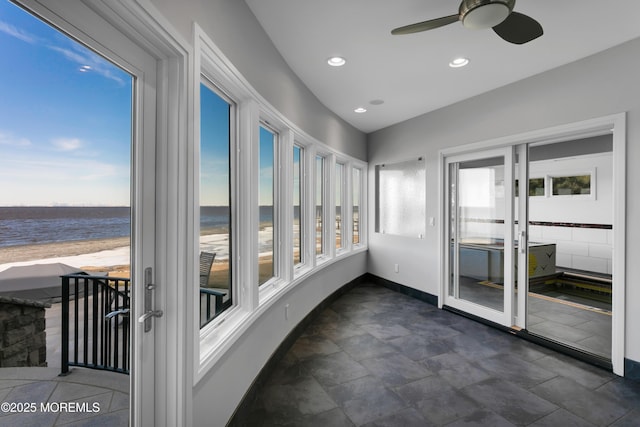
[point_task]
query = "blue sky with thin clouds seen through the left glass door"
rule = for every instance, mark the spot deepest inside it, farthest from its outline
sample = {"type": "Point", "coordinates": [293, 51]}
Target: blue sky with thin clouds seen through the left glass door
{"type": "Point", "coordinates": [65, 119]}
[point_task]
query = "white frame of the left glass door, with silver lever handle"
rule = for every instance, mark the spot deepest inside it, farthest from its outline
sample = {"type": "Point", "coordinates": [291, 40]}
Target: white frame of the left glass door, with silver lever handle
{"type": "Point", "coordinates": [148, 283]}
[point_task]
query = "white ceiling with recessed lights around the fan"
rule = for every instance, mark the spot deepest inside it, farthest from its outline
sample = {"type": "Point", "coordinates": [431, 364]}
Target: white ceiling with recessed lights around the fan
{"type": "Point", "coordinates": [411, 73]}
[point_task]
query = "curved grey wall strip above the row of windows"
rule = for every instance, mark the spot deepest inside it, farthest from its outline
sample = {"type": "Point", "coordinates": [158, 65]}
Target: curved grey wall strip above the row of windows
{"type": "Point", "coordinates": [234, 29]}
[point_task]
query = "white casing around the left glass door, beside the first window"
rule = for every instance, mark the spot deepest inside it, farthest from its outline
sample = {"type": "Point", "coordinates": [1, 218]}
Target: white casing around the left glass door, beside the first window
{"type": "Point", "coordinates": [107, 26]}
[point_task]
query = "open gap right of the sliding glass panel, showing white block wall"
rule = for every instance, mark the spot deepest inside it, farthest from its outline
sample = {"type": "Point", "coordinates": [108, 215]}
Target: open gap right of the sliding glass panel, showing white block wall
{"type": "Point", "coordinates": [570, 202]}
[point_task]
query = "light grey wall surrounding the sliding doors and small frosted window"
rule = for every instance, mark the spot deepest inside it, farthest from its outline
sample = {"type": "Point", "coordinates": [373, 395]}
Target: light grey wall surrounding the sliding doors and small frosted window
{"type": "Point", "coordinates": [593, 87]}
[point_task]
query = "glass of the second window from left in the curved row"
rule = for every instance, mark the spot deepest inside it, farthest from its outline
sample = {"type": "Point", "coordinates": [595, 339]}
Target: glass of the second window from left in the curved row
{"type": "Point", "coordinates": [266, 206]}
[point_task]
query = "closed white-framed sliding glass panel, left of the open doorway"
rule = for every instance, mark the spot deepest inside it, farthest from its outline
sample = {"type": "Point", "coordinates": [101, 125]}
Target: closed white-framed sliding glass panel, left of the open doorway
{"type": "Point", "coordinates": [480, 234]}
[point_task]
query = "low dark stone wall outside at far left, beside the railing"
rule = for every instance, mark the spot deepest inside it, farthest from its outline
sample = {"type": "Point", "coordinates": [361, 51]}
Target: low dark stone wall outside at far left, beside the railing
{"type": "Point", "coordinates": [23, 339]}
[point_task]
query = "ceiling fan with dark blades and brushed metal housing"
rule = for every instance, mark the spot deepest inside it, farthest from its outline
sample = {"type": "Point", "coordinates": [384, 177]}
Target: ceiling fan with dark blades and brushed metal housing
{"type": "Point", "coordinates": [512, 26]}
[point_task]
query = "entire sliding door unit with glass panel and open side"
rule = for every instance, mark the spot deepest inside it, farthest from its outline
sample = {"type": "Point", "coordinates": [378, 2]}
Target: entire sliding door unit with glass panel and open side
{"type": "Point", "coordinates": [533, 239]}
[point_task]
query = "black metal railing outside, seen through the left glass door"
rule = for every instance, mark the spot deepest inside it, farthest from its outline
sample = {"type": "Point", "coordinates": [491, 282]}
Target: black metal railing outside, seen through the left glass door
{"type": "Point", "coordinates": [95, 323]}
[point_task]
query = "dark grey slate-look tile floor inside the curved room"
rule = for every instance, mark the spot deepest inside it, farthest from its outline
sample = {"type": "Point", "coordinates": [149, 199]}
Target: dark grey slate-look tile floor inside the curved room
{"type": "Point", "coordinates": [379, 358]}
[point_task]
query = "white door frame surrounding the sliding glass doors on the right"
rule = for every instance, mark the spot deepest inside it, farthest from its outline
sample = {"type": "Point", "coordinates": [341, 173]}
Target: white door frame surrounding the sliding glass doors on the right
{"type": "Point", "coordinates": [616, 124]}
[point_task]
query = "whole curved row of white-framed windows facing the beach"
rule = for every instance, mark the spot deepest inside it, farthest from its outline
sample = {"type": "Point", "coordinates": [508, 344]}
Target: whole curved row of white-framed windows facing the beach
{"type": "Point", "coordinates": [260, 205]}
